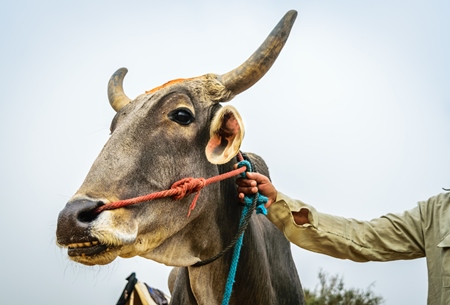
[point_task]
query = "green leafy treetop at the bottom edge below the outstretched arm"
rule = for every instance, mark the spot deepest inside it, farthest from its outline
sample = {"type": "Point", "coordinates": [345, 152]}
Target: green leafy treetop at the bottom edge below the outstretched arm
{"type": "Point", "coordinates": [331, 291]}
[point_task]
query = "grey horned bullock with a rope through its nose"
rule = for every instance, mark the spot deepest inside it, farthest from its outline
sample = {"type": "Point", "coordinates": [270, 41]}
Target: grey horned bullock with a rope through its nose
{"type": "Point", "coordinates": [174, 131]}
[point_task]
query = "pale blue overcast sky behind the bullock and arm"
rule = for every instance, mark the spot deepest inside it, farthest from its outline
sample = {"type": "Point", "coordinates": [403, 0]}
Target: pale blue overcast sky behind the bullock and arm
{"type": "Point", "coordinates": [354, 118]}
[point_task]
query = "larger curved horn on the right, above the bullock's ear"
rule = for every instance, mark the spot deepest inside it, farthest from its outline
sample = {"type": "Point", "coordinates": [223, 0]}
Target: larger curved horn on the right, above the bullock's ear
{"type": "Point", "coordinates": [254, 68]}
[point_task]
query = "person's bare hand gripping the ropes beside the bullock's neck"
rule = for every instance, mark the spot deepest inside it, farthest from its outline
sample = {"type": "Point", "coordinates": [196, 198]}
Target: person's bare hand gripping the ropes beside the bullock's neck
{"type": "Point", "coordinates": [253, 183]}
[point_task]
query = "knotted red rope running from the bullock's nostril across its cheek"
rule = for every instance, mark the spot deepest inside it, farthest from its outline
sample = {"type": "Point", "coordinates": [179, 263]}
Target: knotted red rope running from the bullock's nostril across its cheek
{"type": "Point", "coordinates": [177, 191]}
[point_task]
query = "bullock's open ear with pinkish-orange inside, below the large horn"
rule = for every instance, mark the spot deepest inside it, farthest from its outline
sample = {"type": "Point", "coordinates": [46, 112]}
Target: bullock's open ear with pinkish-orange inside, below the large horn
{"type": "Point", "coordinates": [226, 134]}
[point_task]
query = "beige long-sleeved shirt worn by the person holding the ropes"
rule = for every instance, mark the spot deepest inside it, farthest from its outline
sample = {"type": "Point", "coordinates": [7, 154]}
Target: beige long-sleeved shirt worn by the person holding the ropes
{"type": "Point", "coordinates": [423, 231]}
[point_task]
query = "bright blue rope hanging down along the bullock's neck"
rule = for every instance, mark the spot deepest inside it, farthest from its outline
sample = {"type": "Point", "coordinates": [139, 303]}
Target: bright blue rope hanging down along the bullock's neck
{"type": "Point", "coordinates": [260, 209]}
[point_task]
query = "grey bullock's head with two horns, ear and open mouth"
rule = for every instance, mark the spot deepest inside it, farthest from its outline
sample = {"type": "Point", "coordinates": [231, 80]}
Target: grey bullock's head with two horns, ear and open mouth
{"type": "Point", "coordinates": [174, 131]}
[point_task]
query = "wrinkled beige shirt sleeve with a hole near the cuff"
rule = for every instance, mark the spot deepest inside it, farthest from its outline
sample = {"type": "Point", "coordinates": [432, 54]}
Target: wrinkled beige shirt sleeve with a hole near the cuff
{"type": "Point", "coordinates": [390, 237]}
